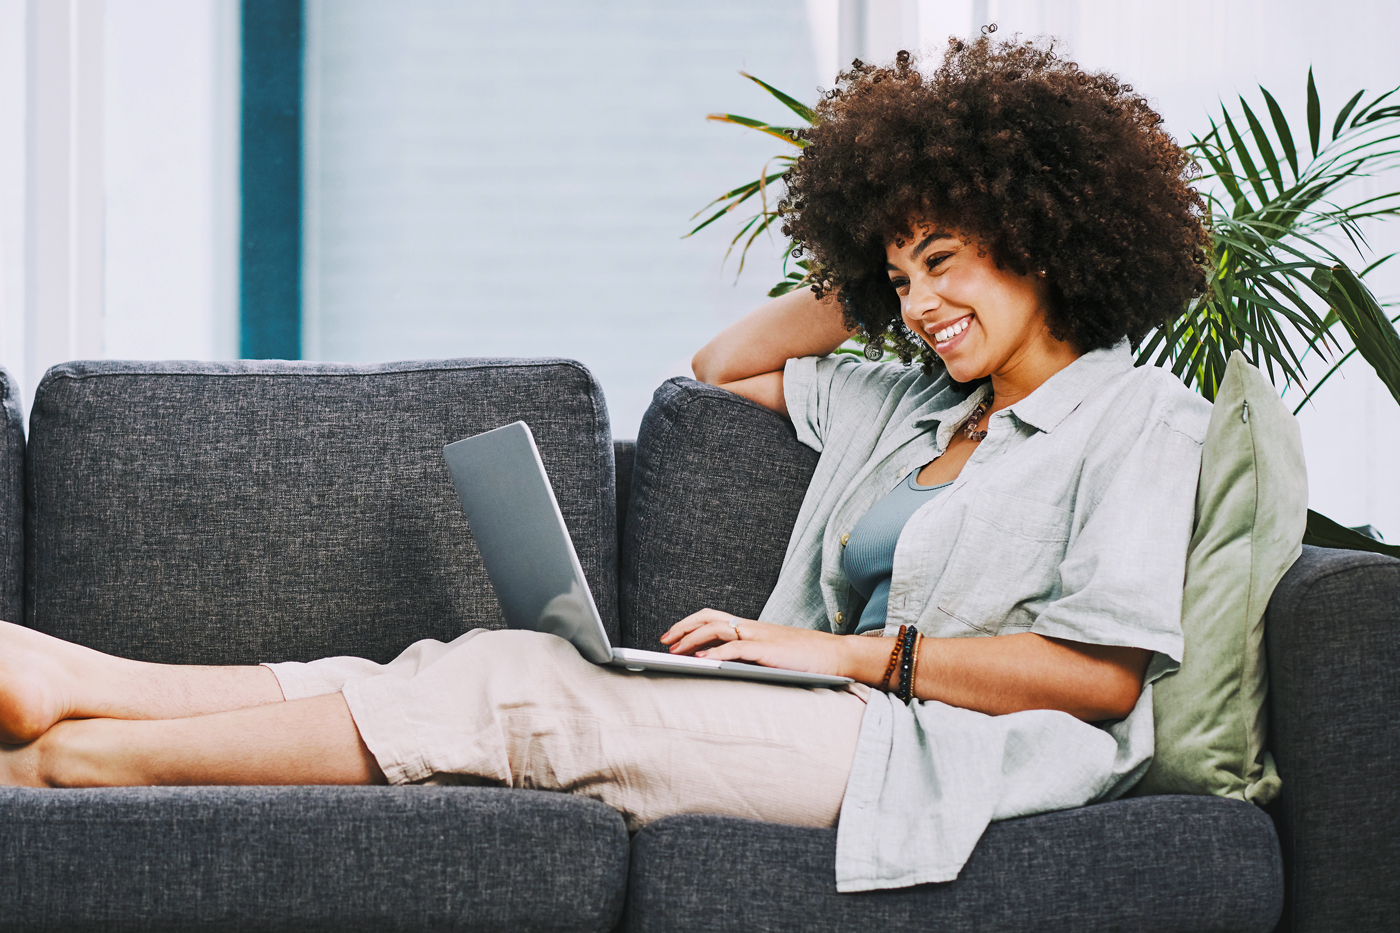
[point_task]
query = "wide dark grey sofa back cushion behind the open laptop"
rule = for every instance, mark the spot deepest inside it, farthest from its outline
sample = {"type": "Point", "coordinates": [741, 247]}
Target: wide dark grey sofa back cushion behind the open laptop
{"type": "Point", "coordinates": [233, 513]}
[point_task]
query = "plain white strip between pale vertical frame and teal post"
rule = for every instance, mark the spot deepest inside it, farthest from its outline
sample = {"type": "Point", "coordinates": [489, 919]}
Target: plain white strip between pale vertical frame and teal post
{"type": "Point", "coordinates": [171, 180]}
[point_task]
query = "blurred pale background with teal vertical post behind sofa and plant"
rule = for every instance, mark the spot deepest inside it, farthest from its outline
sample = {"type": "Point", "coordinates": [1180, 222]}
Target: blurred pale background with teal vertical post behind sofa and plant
{"type": "Point", "coordinates": [363, 180]}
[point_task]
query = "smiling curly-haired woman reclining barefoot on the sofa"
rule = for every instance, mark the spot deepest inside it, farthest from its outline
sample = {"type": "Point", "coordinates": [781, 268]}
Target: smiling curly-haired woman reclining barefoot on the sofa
{"type": "Point", "coordinates": [1013, 223]}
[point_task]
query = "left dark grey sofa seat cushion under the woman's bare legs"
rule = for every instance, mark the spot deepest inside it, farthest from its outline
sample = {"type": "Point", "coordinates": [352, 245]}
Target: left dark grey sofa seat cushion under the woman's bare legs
{"type": "Point", "coordinates": [303, 859]}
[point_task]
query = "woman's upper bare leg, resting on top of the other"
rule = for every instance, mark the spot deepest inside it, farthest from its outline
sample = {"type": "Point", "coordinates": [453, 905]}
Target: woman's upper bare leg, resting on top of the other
{"type": "Point", "coordinates": [45, 680]}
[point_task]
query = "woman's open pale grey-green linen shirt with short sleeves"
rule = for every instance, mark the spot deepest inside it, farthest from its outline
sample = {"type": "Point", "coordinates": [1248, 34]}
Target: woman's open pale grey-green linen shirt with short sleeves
{"type": "Point", "coordinates": [1072, 520]}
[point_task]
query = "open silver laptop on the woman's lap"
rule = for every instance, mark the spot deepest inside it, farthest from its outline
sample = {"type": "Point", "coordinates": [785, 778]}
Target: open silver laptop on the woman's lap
{"type": "Point", "coordinates": [535, 572]}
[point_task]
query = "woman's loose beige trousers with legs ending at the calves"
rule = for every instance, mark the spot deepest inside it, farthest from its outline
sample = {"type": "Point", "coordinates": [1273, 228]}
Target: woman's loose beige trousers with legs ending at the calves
{"type": "Point", "coordinates": [523, 710]}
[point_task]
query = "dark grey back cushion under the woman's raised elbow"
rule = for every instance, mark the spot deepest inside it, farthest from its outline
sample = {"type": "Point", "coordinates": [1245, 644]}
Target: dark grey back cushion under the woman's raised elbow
{"type": "Point", "coordinates": [715, 494]}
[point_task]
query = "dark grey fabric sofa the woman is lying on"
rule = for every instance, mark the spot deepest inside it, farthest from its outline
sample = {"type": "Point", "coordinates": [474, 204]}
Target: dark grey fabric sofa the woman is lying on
{"type": "Point", "coordinates": [246, 512]}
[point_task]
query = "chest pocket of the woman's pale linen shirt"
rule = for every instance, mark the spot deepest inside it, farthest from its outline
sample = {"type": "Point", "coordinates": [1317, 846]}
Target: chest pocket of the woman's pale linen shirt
{"type": "Point", "coordinates": [1004, 568]}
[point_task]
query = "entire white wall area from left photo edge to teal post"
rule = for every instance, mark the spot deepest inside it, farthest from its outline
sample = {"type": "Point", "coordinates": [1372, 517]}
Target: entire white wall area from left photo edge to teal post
{"type": "Point", "coordinates": [118, 181]}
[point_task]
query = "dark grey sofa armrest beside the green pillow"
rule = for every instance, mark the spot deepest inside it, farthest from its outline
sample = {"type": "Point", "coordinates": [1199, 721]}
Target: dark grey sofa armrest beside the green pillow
{"type": "Point", "coordinates": [1333, 635]}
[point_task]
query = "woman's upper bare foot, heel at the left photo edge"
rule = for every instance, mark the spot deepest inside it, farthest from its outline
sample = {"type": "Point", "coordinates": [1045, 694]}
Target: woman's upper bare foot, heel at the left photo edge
{"type": "Point", "coordinates": [34, 684]}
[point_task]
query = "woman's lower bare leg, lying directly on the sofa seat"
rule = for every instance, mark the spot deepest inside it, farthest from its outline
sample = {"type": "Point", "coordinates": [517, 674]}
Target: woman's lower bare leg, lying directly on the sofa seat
{"type": "Point", "coordinates": [307, 742]}
